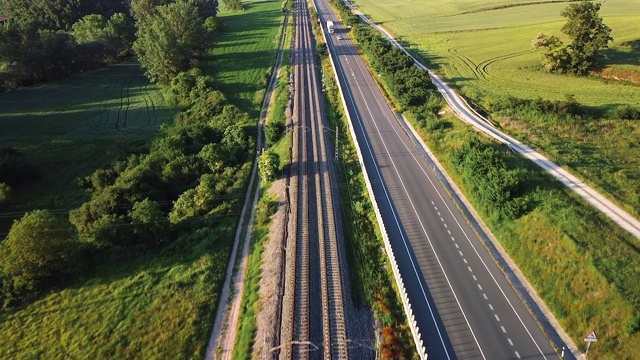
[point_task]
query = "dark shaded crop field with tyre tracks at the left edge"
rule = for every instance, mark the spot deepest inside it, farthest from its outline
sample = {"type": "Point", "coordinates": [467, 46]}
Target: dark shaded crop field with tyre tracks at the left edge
{"type": "Point", "coordinates": [112, 102]}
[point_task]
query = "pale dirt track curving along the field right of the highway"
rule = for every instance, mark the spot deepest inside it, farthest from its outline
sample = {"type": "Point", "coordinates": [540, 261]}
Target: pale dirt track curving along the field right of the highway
{"type": "Point", "coordinates": [467, 114]}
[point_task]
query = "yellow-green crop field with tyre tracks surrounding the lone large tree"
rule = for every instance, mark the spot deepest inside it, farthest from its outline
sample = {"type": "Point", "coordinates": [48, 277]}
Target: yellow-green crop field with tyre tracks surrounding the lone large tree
{"type": "Point", "coordinates": [484, 46]}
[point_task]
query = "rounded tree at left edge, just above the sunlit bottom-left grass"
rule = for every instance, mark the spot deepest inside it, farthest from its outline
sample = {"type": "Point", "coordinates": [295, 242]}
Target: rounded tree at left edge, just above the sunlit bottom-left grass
{"type": "Point", "coordinates": [37, 247]}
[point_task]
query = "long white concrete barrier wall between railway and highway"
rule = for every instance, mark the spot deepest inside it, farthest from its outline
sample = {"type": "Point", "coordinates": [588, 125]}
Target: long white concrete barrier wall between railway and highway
{"type": "Point", "coordinates": [415, 330]}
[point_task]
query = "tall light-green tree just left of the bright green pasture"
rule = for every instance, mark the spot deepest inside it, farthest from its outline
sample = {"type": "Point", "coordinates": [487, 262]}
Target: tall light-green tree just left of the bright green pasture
{"type": "Point", "coordinates": [168, 42]}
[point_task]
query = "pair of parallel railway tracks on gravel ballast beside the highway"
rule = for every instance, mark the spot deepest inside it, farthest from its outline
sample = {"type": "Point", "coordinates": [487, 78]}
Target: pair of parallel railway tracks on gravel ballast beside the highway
{"type": "Point", "coordinates": [312, 317]}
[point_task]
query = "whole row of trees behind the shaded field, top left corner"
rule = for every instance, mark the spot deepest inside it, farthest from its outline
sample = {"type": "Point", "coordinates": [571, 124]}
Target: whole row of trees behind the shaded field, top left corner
{"type": "Point", "coordinates": [45, 40]}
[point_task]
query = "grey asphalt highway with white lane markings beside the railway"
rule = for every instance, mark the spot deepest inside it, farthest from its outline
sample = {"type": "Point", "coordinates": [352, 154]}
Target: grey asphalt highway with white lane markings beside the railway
{"type": "Point", "coordinates": [465, 307]}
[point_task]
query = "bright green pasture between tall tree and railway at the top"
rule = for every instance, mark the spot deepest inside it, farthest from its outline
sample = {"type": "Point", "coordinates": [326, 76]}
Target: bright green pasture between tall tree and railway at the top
{"type": "Point", "coordinates": [244, 52]}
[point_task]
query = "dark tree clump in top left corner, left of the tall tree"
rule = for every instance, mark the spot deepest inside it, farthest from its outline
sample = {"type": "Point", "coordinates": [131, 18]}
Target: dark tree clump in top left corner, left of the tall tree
{"type": "Point", "coordinates": [64, 38]}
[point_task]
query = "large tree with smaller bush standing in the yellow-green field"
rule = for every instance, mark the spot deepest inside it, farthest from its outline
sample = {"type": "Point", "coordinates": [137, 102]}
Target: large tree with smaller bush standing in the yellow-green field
{"type": "Point", "coordinates": [588, 35]}
